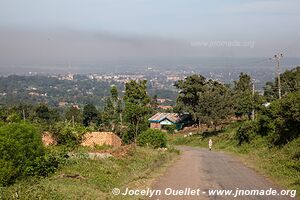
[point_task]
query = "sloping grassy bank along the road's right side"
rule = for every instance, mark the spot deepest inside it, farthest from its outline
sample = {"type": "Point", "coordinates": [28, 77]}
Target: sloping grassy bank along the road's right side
{"type": "Point", "coordinates": [281, 165]}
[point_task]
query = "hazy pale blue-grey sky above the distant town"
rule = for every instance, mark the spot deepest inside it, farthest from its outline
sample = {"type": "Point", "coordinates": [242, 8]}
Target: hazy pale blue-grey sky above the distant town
{"type": "Point", "coordinates": [43, 32]}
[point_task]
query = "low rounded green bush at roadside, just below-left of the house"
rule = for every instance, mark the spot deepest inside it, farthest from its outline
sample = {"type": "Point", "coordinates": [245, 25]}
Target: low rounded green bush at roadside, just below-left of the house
{"type": "Point", "coordinates": [152, 137]}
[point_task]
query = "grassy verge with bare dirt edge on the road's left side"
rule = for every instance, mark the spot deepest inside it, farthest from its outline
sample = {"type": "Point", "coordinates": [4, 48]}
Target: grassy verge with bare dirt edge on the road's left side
{"type": "Point", "coordinates": [95, 179]}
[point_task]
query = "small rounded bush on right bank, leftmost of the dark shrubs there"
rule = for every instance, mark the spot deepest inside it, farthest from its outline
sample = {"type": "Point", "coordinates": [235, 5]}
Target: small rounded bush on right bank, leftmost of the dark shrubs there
{"type": "Point", "coordinates": [246, 132]}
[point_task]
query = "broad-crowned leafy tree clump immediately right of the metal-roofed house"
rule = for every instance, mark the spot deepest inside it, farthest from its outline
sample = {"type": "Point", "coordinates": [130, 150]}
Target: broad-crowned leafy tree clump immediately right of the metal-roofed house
{"type": "Point", "coordinates": [207, 101]}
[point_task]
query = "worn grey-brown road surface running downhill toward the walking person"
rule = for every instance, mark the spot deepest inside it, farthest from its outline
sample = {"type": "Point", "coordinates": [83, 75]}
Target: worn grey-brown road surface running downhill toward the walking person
{"type": "Point", "coordinates": [202, 169]}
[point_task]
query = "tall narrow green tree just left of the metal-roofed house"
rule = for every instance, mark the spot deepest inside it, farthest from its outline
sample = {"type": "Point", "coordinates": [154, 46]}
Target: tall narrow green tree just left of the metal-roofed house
{"type": "Point", "coordinates": [136, 108]}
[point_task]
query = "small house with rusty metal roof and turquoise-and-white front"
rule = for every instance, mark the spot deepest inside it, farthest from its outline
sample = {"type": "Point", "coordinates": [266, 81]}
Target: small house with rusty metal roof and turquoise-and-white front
{"type": "Point", "coordinates": [159, 120]}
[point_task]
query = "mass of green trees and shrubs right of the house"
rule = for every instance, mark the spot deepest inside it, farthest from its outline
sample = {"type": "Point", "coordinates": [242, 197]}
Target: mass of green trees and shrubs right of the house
{"type": "Point", "coordinates": [210, 102]}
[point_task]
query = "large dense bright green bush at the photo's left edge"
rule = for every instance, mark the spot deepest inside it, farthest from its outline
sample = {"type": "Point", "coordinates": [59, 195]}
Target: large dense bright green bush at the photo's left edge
{"type": "Point", "coordinates": [20, 146]}
